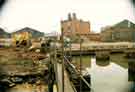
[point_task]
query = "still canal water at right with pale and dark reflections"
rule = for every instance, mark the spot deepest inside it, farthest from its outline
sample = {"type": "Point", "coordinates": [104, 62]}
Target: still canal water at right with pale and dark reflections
{"type": "Point", "coordinates": [107, 76]}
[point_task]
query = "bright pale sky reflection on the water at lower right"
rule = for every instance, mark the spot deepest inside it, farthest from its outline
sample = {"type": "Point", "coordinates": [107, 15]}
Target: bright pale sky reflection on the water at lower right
{"type": "Point", "coordinates": [111, 78]}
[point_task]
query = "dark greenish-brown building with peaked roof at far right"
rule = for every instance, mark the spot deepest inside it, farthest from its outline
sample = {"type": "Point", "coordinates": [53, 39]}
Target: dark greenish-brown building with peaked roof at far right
{"type": "Point", "coordinates": [121, 32]}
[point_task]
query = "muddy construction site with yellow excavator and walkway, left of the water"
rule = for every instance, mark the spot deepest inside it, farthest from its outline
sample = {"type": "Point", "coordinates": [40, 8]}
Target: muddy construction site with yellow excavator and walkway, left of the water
{"type": "Point", "coordinates": [38, 64]}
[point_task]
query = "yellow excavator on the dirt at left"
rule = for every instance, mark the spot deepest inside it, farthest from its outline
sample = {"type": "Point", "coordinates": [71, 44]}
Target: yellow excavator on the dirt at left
{"type": "Point", "coordinates": [21, 39]}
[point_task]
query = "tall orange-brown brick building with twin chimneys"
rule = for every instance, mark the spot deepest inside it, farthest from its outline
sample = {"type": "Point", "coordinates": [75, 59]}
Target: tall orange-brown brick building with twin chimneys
{"type": "Point", "coordinates": [73, 26]}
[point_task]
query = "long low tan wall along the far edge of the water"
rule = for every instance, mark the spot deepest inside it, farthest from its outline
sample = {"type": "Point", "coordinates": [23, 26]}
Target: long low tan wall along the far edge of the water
{"type": "Point", "coordinates": [95, 48]}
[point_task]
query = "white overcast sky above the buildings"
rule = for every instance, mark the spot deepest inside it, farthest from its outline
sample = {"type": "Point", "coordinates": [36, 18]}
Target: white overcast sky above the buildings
{"type": "Point", "coordinates": [45, 15]}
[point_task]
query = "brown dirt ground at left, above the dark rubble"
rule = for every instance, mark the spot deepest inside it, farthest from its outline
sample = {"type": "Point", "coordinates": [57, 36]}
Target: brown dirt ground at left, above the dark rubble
{"type": "Point", "coordinates": [19, 61]}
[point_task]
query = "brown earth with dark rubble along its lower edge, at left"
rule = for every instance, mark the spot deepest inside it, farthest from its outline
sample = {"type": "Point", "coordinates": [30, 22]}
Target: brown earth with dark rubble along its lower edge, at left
{"type": "Point", "coordinates": [22, 66]}
